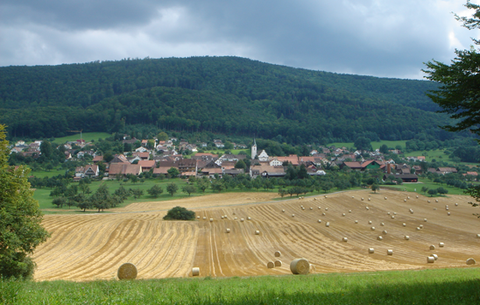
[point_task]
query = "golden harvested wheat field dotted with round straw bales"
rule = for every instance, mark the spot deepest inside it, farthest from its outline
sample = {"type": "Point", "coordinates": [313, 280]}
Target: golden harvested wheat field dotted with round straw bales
{"type": "Point", "coordinates": [94, 246]}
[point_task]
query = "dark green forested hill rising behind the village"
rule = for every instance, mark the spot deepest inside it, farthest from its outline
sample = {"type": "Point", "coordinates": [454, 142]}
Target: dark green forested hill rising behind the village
{"type": "Point", "coordinates": [228, 95]}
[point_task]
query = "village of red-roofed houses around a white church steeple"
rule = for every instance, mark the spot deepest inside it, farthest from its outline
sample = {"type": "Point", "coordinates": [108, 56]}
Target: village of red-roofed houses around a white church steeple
{"type": "Point", "coordinates": [162, 158]}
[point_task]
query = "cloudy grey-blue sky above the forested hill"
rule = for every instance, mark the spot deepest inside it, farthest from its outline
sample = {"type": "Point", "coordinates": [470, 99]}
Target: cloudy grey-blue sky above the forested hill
{"type": "Point", "coordinates": [386, 38]}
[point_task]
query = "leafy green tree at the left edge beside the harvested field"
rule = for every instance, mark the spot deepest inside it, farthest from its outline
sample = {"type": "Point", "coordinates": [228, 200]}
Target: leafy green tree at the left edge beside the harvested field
{"type": "Point", "coordinates": [21, 230]}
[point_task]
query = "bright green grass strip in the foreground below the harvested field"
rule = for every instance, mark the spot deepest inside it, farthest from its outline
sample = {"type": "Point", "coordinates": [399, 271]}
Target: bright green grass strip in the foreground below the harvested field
{"type": "Point", "coordinates": [440, 286]}
